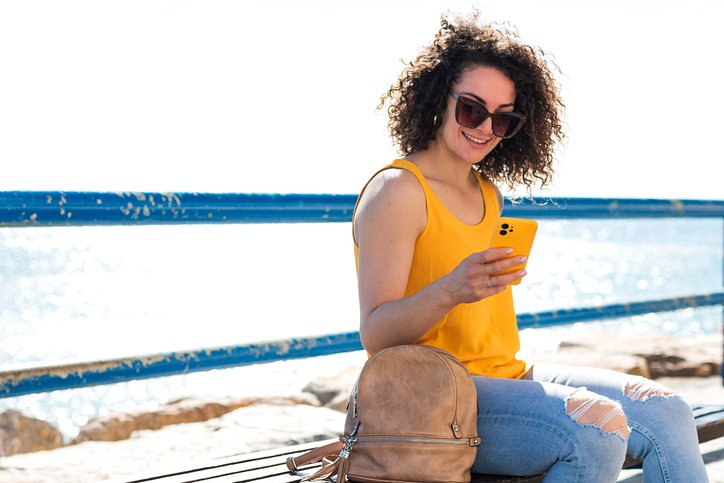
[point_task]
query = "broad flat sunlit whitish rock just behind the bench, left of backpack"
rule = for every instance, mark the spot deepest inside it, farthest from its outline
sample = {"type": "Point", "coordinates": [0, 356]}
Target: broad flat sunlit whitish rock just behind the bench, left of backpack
{"type": "Point", "coordinates": [252, 428]}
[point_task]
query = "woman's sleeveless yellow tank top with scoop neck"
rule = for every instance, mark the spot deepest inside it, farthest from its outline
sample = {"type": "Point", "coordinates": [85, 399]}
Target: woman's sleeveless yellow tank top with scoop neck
{"type": "Point", "coordinates": [482, 335]}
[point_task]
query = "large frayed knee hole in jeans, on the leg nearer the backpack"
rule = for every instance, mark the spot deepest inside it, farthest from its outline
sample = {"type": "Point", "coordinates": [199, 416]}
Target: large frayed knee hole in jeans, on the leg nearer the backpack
{"type": "Point", "coordinates": [586, 407]}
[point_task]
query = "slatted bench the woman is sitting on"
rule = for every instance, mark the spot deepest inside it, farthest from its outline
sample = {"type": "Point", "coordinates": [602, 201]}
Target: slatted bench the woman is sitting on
{"type": "Point", "coordinates": [270, 466]}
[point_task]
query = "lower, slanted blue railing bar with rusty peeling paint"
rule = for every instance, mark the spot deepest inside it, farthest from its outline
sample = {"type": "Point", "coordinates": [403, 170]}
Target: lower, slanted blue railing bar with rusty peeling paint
{"type": "Point", "coordinates": [32, 379]}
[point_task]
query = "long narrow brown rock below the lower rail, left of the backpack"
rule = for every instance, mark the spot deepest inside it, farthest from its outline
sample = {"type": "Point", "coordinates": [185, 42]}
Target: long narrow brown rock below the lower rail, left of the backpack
{"type": "Point", "coordinates": [116, 427]}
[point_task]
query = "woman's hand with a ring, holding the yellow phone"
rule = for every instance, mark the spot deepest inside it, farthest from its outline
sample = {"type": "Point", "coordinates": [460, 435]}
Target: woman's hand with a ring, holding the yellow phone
{"type": "Point", "coordinates": [475, 277]}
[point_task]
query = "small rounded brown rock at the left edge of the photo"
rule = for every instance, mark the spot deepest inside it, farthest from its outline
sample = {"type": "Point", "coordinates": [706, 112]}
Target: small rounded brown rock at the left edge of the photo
{"type": "Point", "coordinates": [23, 434]}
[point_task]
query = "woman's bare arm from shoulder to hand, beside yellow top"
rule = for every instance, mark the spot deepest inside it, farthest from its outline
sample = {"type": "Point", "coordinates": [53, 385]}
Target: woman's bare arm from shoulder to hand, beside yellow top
{"type": "Point", "coordinates": [389, 218]}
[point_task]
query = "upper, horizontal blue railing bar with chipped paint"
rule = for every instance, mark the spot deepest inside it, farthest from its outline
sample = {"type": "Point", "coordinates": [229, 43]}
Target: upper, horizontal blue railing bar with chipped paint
{"type": "Point", "coordinates": [93, 208]}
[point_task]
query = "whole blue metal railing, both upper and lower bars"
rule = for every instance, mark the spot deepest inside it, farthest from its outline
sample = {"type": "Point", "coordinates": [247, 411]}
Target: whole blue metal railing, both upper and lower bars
{"type": "Point", "coordinates": [22, 209]}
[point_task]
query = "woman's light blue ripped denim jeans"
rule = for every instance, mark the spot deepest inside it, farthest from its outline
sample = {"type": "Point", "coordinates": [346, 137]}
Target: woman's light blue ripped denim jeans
{"type": "Point", "coordinates": [576, 424]}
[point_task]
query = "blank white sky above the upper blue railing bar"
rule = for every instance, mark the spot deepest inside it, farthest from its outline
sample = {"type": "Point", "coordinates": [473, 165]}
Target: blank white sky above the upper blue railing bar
{"type": "Point", "coordinates": [263, 96]}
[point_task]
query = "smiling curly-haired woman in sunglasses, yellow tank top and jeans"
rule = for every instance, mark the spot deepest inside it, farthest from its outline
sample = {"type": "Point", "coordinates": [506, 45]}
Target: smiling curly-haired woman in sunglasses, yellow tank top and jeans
{"type": "Point", "coordinates": [478, 106]}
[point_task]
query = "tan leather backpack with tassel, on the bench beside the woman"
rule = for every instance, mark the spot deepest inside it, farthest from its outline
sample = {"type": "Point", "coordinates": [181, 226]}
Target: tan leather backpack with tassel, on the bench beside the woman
{"type": "Point", "coordinates": [412, 417]}
